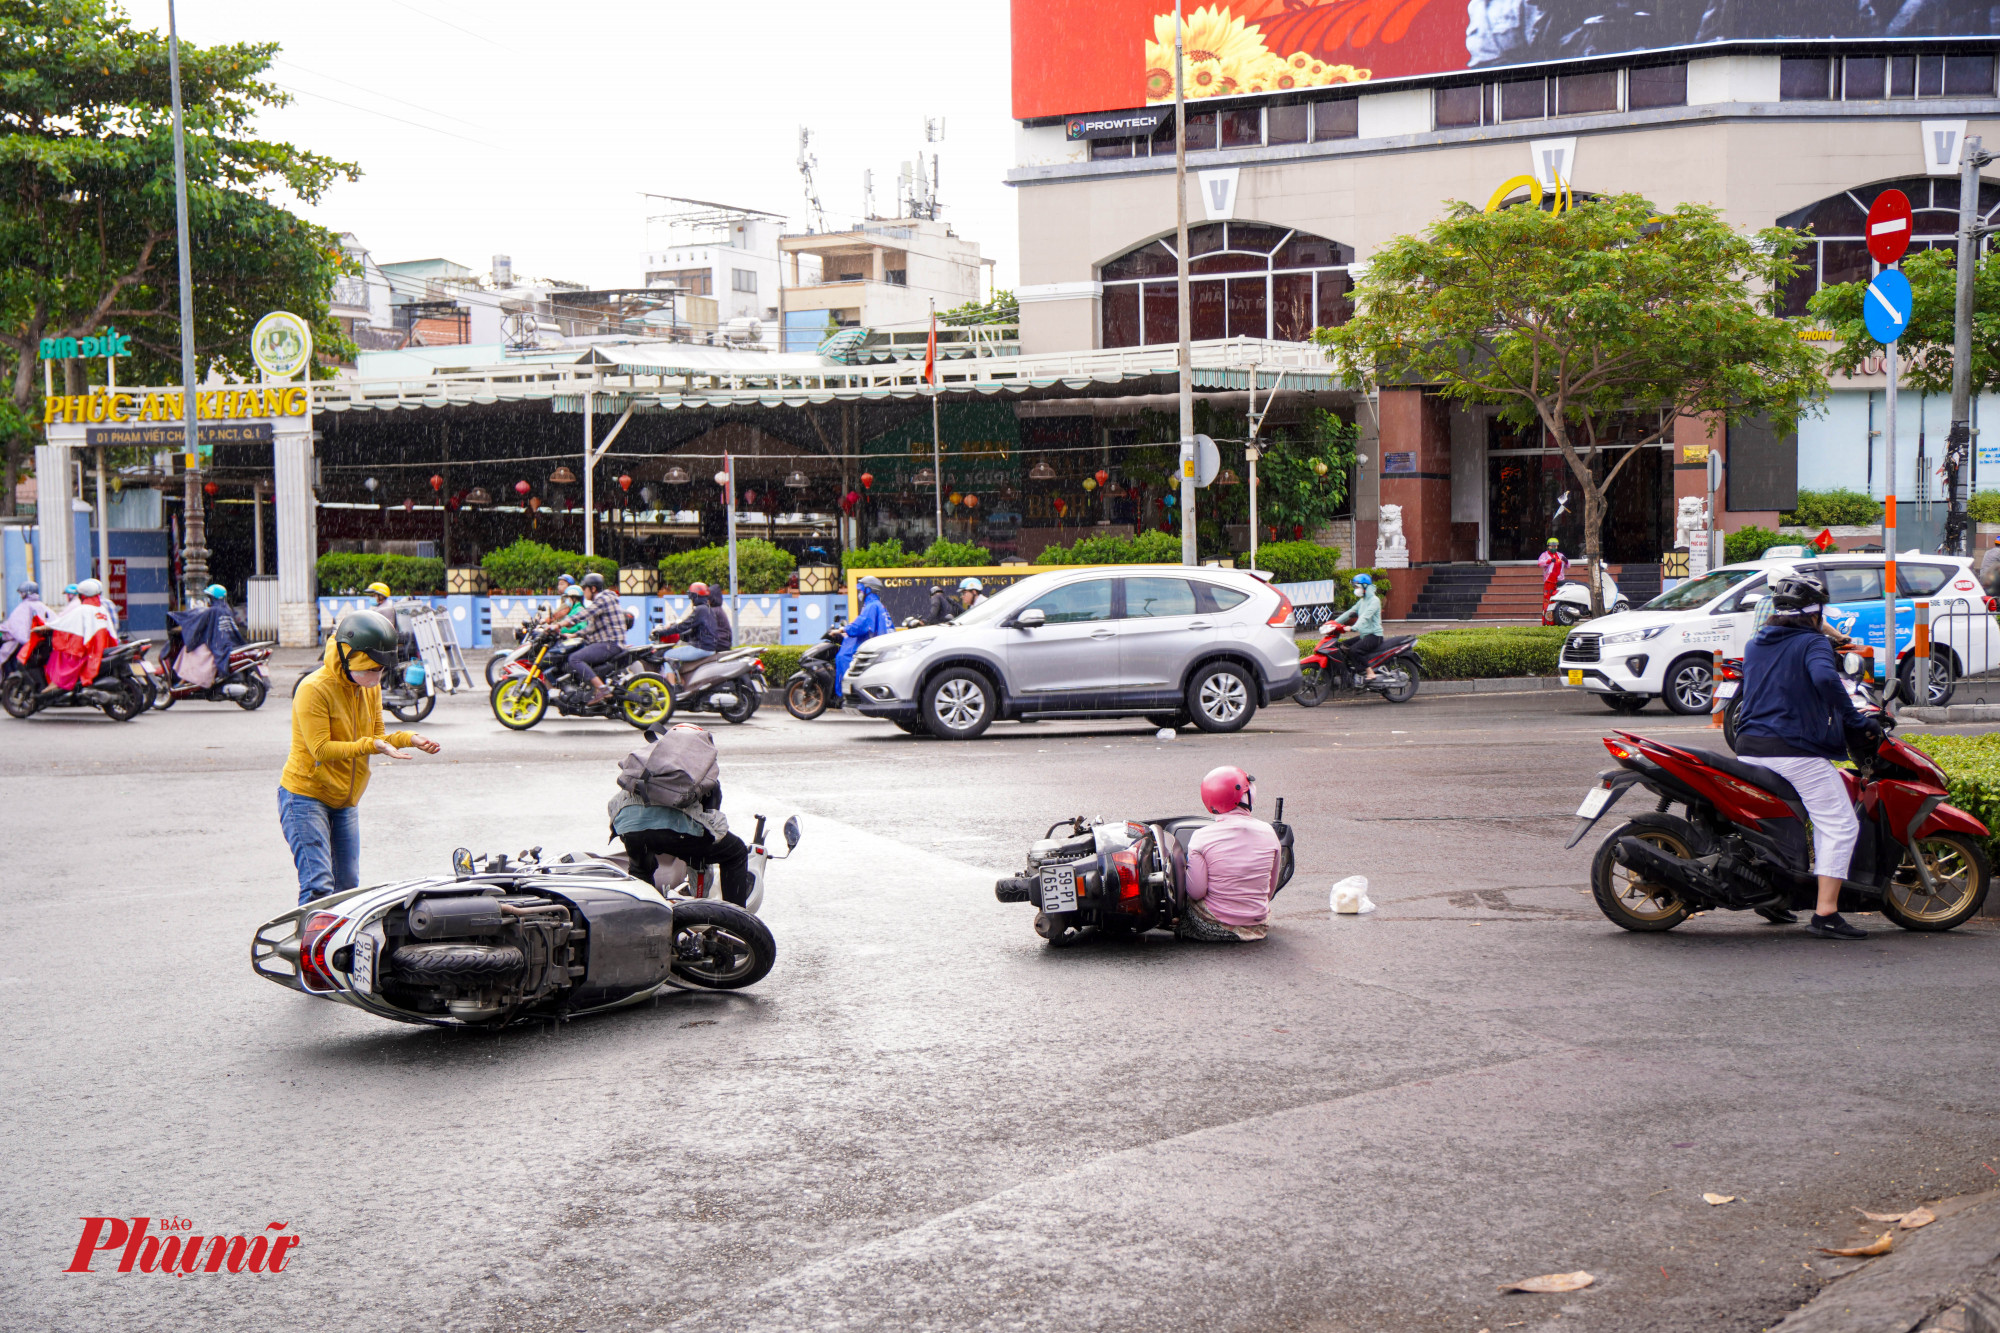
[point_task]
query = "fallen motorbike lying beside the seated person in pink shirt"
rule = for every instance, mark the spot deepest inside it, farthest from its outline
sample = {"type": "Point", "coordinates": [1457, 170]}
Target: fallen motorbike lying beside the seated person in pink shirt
{"type": "Point", "coordinates": [1115, 878]}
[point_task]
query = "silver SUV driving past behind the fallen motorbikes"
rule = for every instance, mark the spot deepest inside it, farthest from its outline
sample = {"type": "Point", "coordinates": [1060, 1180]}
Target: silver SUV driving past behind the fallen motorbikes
{"type": "Point", "coordinates": [1169, 643]}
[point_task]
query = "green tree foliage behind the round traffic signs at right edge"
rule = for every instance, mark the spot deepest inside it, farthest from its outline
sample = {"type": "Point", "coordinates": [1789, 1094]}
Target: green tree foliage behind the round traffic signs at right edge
{"type": "Point", "coordinates": [1925, 349]}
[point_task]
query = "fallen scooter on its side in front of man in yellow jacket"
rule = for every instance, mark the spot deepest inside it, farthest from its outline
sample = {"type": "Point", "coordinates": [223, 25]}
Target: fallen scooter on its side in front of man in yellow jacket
{"type": "Point", "coordinates": [513, 942]}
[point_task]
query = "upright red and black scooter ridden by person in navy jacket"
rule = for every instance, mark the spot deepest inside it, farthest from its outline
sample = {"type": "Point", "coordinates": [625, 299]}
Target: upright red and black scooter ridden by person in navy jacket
{"type": "Point", "coordinates": [1741, 842]}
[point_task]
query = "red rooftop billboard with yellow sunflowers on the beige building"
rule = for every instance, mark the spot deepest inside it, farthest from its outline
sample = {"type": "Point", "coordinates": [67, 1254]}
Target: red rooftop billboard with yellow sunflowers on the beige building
{"type": "Point", "coordinates": [1077, 57]}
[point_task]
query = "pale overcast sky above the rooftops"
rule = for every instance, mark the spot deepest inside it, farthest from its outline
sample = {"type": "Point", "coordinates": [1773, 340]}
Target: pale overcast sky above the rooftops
{"type": "Point", "coordinates": [533, 129]}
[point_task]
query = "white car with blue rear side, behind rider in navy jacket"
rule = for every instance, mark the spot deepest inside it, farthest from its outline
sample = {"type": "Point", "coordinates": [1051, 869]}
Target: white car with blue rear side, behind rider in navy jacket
{"type": "Point", "coordinates": [1667, 647]}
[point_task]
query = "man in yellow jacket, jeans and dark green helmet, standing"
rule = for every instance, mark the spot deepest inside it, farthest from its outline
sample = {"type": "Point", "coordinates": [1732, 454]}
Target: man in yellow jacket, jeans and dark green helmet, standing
{"type": "Point", "coordinates": [337, 728]}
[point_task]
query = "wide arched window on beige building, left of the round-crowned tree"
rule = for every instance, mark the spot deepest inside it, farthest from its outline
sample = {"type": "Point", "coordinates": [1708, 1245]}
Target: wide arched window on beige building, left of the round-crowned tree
{"type": "Point", "coordinates": [1247, 279]}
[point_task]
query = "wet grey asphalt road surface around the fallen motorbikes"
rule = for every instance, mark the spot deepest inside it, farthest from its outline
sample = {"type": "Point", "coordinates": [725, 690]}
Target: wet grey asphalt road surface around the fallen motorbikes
{"type": "Point", "coordinates": [925, 1120]}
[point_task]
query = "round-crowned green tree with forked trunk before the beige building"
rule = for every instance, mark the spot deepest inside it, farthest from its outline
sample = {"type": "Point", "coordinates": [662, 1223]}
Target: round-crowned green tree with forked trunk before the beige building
{"type": "Point", "coordinates": [1603, 323]}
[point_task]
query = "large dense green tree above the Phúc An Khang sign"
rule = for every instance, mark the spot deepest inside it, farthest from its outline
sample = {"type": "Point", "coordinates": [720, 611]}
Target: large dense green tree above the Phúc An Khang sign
{"type": "Point", "coordinates": [87, 203]}
